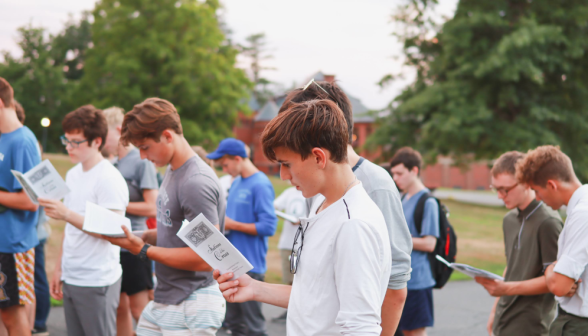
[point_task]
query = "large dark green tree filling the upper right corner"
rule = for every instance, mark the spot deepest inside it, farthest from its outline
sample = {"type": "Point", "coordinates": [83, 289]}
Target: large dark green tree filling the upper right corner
{"type": "Point", "coordinates": [500, 75]}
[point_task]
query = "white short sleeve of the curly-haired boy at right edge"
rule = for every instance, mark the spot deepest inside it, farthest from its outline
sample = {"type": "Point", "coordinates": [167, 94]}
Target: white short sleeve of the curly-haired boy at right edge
{"type": "Point", "coordinates": [573, 257]}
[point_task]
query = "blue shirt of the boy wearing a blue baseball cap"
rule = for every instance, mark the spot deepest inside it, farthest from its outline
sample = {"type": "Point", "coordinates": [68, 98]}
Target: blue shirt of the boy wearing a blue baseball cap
{"type": "Point", "coordinates": [251, 200]}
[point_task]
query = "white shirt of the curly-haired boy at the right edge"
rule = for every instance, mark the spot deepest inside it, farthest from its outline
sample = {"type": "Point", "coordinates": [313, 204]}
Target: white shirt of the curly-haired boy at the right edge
{"type": "Point", "coordinates": [572, 254]}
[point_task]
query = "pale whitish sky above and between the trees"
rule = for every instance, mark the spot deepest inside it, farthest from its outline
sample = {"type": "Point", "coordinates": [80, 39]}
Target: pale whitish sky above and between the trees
{"type": "Point", "coordinates": [350, 39]}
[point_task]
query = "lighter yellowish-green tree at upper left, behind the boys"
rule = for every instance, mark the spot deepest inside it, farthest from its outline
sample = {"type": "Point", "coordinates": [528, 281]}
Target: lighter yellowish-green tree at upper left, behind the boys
{"type": "Point", "coordinates": [169, 49]}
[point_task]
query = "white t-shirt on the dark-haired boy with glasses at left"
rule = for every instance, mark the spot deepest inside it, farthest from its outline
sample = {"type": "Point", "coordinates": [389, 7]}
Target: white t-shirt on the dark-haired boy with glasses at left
{"type": "Point", "coordinates": [88, 261]}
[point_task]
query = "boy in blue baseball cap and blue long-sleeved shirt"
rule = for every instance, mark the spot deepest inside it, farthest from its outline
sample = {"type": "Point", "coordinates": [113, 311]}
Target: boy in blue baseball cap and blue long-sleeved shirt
{"type": "Point", "coordinates": [251, 219]}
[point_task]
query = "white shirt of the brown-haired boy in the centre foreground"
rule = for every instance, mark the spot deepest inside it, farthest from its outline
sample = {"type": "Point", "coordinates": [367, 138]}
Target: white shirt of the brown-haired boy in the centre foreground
{"type": "Point", "coordinates": [343, 269]}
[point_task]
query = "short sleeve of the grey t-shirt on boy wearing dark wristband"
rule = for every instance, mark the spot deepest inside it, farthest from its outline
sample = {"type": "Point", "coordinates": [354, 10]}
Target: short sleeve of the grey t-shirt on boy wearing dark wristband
{"type": "Point", "coordinates": [199, 194]}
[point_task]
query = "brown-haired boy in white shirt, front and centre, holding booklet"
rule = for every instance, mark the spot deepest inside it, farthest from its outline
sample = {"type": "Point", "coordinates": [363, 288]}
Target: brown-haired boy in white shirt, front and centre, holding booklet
{"type": "Point", "coordinates": [342, 260]}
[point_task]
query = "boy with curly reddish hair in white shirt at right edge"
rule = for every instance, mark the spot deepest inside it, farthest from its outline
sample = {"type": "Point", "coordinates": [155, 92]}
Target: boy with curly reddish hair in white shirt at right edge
{"type": "Point", "coordinates": [550, 173]}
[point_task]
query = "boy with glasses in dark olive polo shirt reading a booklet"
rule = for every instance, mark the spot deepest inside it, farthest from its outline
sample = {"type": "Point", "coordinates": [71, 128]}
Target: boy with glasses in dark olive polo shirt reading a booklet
{"type": "Point", "coordinates": [524, 305]}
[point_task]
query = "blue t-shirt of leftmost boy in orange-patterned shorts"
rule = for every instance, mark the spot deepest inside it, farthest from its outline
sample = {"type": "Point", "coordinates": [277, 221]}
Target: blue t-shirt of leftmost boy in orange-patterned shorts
{"type": "Point", "coordinates": [18, 151]}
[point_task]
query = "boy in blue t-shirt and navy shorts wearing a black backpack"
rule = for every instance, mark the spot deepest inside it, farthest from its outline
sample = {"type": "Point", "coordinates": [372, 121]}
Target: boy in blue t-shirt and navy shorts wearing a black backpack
{"type": "Point", "coordinates": [418, 309]}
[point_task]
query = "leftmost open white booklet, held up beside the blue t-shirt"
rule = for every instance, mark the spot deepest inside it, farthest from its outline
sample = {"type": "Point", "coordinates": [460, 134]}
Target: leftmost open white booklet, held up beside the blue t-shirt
{"type": "Point", "coordinates": [42, 181]}
